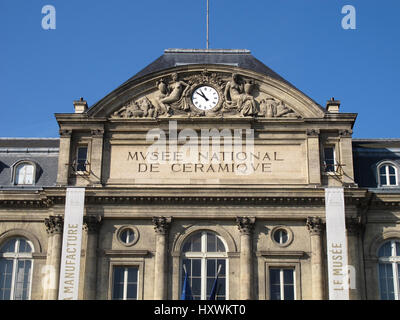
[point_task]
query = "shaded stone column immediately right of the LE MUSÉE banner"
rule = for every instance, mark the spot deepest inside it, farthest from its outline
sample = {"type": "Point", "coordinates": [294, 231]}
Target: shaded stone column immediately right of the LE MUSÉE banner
{"type": "Point", "coordinates": [353, 227]}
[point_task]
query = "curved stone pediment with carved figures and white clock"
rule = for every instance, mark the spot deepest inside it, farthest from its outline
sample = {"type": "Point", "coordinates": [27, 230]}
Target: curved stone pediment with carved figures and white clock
{"type": "Point", "coordinates": [200, 90]}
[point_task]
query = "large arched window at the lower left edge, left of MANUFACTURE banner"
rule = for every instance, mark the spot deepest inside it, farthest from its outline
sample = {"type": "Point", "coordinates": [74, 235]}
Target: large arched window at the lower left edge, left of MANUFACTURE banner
{"type": "Point", "coordinates": [15, 269]}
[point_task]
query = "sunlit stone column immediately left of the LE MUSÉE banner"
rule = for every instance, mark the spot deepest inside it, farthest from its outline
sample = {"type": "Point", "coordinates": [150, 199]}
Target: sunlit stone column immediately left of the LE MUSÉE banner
{"type": "Point", "coordinates": [315, 227]}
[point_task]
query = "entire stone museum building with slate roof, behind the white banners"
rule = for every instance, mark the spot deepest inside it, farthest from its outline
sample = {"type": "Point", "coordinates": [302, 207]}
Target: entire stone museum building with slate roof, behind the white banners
{"type": "Point", "coordinates": [252, 210]}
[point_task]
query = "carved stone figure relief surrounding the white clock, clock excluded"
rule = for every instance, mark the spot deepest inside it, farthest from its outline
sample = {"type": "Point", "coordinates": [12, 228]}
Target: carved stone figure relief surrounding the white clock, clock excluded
{"type": "Point", "coordinates": [237, 97]}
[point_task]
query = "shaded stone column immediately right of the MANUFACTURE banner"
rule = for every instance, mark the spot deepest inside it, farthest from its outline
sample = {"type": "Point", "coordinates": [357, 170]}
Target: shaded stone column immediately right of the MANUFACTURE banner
{"type": "Point", "coordinates": [91, 226]}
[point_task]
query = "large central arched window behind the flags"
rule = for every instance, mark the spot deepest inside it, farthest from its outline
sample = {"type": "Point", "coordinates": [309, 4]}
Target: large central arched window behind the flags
{"type": "Point", "coordinates": [203, 255]}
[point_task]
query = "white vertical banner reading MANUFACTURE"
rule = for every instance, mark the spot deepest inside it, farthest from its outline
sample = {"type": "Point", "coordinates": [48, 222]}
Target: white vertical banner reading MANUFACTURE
{"type": "Point", "coordinates": [72, 242]}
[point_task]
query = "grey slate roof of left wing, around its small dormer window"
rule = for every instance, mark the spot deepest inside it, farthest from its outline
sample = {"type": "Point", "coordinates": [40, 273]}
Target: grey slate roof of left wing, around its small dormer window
{"type": "Point", "coordinates": [42, 151]}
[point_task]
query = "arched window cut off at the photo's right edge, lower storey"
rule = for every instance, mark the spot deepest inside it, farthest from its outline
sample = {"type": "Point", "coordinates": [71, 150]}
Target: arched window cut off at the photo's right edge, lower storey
{"type": "Point", "coordinates": [389, 270]}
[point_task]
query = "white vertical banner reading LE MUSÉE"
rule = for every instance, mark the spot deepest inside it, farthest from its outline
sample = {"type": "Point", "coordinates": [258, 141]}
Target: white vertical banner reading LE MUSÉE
{"type": "Point", "coordinates": [336, 244]}
